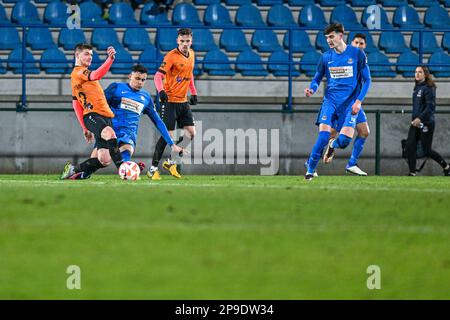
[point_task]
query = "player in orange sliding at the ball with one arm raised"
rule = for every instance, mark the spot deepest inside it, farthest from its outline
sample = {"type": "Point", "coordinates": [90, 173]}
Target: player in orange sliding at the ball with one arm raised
{"type": "Point", "coordinates": [93, 112]}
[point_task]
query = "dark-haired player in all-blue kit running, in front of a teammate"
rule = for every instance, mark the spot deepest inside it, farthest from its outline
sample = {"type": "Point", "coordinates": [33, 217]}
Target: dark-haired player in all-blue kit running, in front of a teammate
{"type": "Point", "coordinates": [344, 67]}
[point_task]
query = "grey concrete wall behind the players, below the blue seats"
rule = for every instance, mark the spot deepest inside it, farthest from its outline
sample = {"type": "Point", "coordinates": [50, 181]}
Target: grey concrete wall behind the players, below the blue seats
{"type": "Point", "coordinates": [44, 141]}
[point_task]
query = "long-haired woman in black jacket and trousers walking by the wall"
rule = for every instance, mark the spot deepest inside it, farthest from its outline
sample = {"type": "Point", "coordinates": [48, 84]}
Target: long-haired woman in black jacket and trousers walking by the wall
{"type": "Point", "coordinates": [422, 125]}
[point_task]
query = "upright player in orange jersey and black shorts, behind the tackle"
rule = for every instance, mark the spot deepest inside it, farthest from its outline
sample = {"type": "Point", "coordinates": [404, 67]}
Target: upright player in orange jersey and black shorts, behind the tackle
{"type": "Point", "coordinates": [173, 80]}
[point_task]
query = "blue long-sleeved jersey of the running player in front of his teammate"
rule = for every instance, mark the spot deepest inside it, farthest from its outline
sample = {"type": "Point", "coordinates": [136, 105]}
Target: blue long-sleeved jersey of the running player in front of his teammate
{"type": "Point", "coordinates": [344, 72]}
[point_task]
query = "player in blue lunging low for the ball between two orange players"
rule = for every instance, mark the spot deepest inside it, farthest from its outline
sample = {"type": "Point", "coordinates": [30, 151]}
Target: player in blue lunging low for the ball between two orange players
{"type": "Point", "coordinates": [129, 101]}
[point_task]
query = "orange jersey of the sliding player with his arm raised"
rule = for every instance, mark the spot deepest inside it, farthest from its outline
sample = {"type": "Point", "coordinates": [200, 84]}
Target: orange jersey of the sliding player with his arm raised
{"type": "Point", "coordinates": [89, 93]}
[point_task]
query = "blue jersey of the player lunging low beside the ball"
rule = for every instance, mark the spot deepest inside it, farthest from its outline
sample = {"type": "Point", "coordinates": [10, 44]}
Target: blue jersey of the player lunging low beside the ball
{"type": "Point", "coordinates": [128, 105]}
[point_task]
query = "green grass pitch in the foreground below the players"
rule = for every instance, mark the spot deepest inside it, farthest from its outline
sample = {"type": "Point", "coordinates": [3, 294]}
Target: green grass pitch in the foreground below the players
{"type": "Point", "coordinates": [225, 237]}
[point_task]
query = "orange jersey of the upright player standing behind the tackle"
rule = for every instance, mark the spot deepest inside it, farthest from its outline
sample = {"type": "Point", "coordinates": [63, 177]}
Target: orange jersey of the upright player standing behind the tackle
{"type": "Point", "coordinates": [177, 69]}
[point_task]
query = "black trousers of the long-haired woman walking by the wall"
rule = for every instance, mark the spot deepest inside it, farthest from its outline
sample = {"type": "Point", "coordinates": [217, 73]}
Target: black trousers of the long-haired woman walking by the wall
{"type": "Point", "coordinates": [425, 135]}
